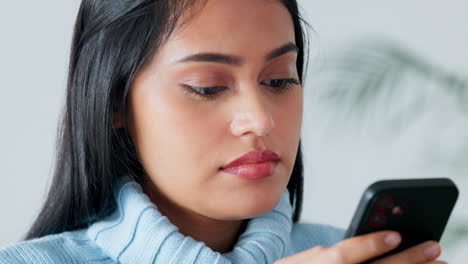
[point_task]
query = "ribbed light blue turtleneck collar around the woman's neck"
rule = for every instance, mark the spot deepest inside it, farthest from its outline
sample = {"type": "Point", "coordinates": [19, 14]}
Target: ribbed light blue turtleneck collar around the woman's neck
{"type": "Point", "coordinates": [136, 232]}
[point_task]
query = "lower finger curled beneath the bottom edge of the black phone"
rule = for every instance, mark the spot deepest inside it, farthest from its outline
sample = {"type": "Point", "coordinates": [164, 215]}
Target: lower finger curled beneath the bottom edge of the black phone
{"type": "Point", "coordinates": [422, 253]}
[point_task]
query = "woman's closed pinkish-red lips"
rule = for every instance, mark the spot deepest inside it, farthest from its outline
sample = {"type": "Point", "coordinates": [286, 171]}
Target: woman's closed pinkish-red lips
{"type": "Point", "coordinates": [253, 165]}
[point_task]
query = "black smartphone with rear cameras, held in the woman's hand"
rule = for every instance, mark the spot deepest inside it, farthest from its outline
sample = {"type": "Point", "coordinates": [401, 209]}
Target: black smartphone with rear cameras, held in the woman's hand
{"type": "Point", "coordinates": [417, 208]}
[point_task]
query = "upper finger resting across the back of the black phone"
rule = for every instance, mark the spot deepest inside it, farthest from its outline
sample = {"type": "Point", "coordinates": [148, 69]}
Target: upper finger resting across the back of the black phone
{"type": "Point", "coordinates": [361, 248]}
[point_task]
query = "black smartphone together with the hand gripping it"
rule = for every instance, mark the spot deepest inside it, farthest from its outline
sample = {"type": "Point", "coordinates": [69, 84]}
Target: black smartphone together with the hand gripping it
{"type": "Point", "coordinates": [417, 209]}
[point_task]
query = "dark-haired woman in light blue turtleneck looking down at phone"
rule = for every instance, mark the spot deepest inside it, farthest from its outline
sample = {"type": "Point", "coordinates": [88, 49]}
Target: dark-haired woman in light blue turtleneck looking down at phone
{"type": "Point", "coordinates": [180, 142]}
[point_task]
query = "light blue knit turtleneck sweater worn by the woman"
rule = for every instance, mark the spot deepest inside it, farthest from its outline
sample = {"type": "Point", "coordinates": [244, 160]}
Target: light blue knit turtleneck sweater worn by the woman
{"type": "Point", "coordinates": [137, 233]}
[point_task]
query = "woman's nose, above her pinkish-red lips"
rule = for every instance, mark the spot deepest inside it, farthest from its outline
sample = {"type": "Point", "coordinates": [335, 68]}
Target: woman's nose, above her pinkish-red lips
{"type": "Point", "coordinates": [252, 116]}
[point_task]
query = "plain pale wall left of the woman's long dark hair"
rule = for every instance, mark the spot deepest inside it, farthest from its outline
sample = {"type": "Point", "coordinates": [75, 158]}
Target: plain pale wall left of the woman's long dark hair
{"type": "Point", "coordinates": [34, 43]}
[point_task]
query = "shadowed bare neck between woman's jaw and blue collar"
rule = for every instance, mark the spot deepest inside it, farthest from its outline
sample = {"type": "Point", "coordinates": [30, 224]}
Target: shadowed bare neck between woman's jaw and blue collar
{"type": "Point", "coordinates": [219, 235]}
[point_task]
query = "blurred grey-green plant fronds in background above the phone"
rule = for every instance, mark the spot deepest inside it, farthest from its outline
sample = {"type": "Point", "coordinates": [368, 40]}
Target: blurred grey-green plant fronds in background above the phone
{"type": "Point", "coordinates": [384, 92]}
